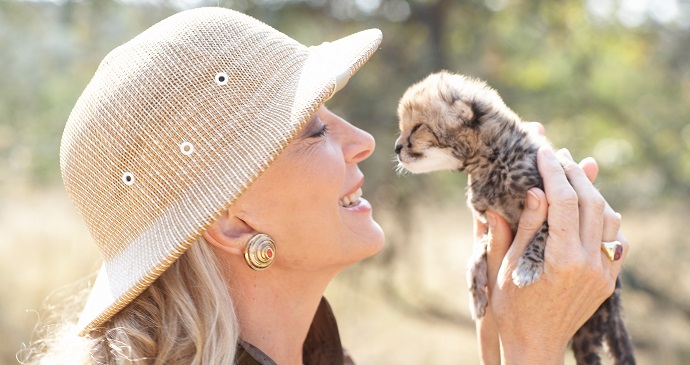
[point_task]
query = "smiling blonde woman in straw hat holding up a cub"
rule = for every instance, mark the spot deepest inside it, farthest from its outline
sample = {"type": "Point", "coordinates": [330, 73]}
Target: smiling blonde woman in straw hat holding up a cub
{"type": "Point", "coordinates": [224, 197]}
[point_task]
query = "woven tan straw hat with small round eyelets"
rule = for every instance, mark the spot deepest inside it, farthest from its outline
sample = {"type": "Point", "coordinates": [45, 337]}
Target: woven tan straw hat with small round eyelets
{"type": "Point", "coordinates": [176, 124]}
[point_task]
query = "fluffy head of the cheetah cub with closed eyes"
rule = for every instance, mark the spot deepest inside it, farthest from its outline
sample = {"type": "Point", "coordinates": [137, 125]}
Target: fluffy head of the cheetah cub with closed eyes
{"type": "Point", "coordinates": [441, 121]}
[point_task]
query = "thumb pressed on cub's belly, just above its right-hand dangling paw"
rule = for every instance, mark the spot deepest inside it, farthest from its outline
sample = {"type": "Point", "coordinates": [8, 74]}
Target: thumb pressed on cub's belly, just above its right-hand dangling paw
{"type": "Point", "coordinates": [531, 220]}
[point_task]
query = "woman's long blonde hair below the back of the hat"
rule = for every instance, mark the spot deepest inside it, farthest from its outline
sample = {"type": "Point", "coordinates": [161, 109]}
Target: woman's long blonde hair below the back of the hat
{"type": "Point", "coordinates": [186, 316]}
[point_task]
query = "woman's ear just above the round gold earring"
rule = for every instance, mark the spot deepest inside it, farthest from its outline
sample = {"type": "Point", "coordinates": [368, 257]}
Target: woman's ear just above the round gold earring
{"type": "Point", "coordinates": [229, 233]}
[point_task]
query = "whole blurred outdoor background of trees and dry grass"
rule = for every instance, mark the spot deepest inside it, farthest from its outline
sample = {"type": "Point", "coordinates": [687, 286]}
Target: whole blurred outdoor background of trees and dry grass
{"type": "Point", "coordinates": [607, 78]}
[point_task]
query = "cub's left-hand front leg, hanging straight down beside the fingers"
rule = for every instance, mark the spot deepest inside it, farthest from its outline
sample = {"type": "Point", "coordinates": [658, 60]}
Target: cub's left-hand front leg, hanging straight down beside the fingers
{"type": "Point", "coordinates": [478, 277]}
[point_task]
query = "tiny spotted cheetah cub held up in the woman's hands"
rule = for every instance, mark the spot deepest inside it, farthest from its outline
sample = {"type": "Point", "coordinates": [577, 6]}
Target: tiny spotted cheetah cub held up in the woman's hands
{"type": "Point", "coordinates": [452, 122]}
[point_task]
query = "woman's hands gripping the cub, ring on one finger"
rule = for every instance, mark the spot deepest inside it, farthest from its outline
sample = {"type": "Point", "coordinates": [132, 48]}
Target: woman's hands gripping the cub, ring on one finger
{"type": "Point", "coordinates": [535, 322]}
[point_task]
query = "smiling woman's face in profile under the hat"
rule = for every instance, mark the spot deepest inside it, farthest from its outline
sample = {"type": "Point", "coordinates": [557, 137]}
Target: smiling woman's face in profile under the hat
{"type": "Point", "coordinates": [310, 199]}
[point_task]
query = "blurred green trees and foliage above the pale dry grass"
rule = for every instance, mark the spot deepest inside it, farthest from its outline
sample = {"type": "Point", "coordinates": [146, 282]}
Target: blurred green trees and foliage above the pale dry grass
{"type": "Point", "coordinates": [607, 78]}
